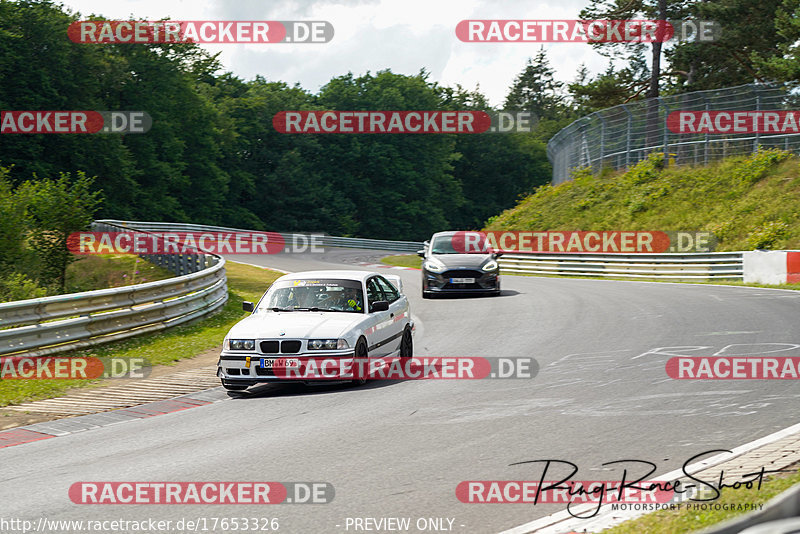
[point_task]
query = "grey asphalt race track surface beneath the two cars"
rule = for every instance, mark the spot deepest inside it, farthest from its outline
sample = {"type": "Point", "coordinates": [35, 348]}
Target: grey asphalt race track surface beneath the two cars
{"type": "Point", "coordinates": [400, 448]}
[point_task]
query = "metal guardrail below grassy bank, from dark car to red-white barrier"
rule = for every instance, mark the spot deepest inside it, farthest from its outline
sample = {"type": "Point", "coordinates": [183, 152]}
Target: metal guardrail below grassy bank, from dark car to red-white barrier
{"type": "Point", "coordinates": [712, 265]}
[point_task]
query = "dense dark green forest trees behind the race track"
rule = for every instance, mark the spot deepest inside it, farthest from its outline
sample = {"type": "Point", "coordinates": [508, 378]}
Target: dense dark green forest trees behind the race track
{"type": "Point", "coordinates": [212, 155]}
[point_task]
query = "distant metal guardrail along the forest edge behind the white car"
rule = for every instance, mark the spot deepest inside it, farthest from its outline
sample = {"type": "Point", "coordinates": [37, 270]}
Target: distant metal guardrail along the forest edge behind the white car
{"type": "Point", "coordinates": [325, 240]}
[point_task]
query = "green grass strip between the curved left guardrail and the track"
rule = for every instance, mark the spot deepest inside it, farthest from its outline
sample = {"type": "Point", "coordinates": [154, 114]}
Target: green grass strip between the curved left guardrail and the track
{"type": "Point", "coordinates": [163, 348]}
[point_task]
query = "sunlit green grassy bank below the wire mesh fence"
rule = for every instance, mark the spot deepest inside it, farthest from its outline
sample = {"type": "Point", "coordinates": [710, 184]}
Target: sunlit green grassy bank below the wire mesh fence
{"type": "Point", "coordinates": [748, 202]}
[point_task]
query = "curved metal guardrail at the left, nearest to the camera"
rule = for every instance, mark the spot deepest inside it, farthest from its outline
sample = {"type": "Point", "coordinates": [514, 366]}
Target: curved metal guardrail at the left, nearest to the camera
{"type": "Point", "coordinates": [48, 325]}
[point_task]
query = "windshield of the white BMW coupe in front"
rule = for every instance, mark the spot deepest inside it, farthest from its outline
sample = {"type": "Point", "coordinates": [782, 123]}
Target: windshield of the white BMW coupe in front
{"type": "Point", "coordinates": [314, 295]}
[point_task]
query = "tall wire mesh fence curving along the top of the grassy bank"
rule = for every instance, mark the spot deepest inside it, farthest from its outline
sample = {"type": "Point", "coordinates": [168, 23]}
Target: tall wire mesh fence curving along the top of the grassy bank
{"type": "Point", "coordinates": [620, 136]}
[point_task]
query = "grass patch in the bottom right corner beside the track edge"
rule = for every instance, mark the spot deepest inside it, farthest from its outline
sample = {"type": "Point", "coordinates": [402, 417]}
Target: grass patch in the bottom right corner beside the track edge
{"type": "Point", "coordinates": [683, 520]}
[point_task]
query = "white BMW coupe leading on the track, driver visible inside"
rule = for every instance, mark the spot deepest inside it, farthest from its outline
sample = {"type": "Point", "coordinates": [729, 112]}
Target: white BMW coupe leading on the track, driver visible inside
{"type": "Point", "coordinates": [342, 315]}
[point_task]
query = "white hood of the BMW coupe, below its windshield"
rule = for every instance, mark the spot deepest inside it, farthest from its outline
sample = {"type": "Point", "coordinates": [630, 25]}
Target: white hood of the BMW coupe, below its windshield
{"type": "Point", "coordinates": [295, 325]}
